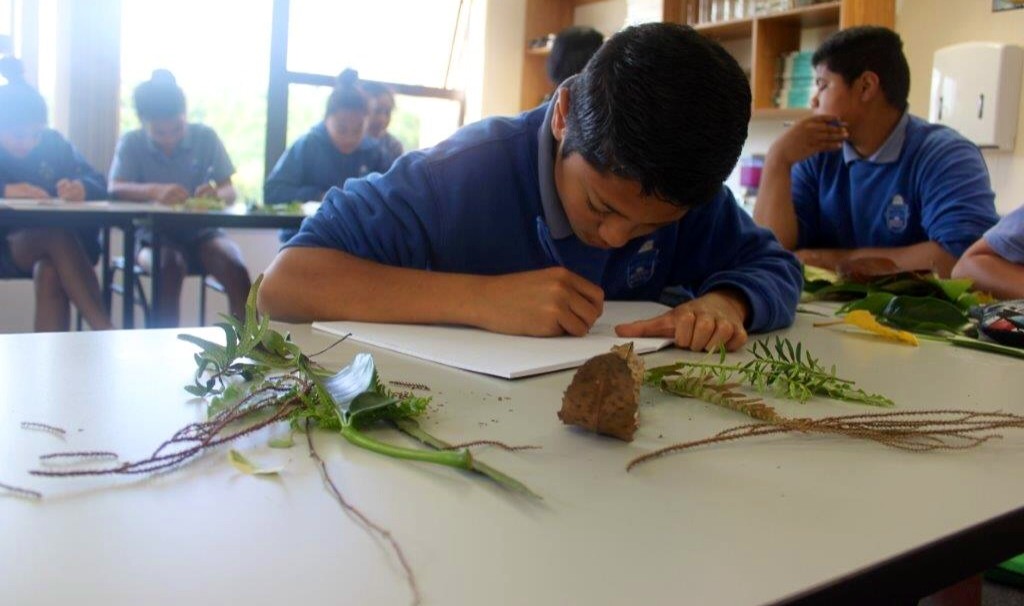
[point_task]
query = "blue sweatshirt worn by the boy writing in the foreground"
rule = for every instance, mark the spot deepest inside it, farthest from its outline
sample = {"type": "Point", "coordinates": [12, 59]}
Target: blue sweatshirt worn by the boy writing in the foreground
{"type": "Point", "coordinates": [476, 204]}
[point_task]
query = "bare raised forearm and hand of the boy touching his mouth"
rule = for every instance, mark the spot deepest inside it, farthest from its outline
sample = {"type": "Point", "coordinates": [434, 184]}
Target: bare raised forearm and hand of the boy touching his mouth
{"type": "Point", "coordinates": [776, 209]}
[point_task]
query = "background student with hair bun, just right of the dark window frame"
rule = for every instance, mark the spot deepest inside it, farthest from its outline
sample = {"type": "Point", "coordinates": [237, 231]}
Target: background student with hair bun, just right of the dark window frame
{"type": "Point", "coordinates": [334, 151]}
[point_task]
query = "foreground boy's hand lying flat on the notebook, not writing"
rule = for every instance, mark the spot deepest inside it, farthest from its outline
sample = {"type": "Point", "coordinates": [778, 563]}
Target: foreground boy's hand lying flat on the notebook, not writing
{"type": "Point", "coordinates": [702, 325]}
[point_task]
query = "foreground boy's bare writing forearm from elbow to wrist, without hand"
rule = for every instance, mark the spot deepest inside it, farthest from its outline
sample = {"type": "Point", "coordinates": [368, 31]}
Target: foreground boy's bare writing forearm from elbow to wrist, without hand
{"type": "Point", "coordinates": [308, 285]}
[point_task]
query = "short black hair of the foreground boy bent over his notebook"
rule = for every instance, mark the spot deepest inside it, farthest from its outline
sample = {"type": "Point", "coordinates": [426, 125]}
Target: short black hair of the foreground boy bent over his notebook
{"type": "Point", "coordinates": [663, 106]}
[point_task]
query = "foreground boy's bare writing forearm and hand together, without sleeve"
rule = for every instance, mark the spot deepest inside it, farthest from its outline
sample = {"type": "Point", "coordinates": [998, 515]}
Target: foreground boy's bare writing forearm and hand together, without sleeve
{"type": "Point", "coordinates": [335, 285]}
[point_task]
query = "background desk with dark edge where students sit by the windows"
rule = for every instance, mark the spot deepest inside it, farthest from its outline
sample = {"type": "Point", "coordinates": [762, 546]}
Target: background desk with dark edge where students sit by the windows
{"type": "Point", "coordinates": [129, 217]}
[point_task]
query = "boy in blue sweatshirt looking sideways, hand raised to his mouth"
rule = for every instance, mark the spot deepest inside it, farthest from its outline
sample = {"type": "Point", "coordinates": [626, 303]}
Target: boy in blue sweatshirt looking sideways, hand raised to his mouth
{"type": "Point", "coordinates": [863, 178]}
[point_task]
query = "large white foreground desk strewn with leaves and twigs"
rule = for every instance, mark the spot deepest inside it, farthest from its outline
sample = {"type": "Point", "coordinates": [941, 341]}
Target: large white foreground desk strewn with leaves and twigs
{"type": "Point", "coordinates": [789, 520]}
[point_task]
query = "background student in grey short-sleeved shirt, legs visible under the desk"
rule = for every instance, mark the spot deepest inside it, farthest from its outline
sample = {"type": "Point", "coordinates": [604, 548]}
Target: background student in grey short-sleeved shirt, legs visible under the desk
{"type": "Point", "coordinates": [169, 161]}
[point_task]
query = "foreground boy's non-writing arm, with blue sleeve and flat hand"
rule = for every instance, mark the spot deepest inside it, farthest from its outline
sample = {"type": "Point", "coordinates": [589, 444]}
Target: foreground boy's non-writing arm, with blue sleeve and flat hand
{"type": "Point", "coordinates": [736, 270]}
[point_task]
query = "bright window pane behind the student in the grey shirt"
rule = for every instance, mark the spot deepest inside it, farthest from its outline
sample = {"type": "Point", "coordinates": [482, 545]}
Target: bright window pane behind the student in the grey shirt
{"type": "Point", "coordinates": [226, 84]}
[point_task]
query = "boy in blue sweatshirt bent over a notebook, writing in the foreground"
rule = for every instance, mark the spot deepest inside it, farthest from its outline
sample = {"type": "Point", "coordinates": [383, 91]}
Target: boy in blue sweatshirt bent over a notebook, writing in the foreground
{"type": "Point", "coordinates": [526, 226]}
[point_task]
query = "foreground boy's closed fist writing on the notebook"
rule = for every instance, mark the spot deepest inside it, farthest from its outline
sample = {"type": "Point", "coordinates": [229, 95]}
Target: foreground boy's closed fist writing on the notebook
{"type": "Point", "coordinates": [542, 304]}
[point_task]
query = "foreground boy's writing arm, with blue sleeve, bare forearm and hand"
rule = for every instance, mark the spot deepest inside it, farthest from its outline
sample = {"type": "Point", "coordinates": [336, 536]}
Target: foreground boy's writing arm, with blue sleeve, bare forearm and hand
{"type": "Point", "coordinates": [368, 254]}
